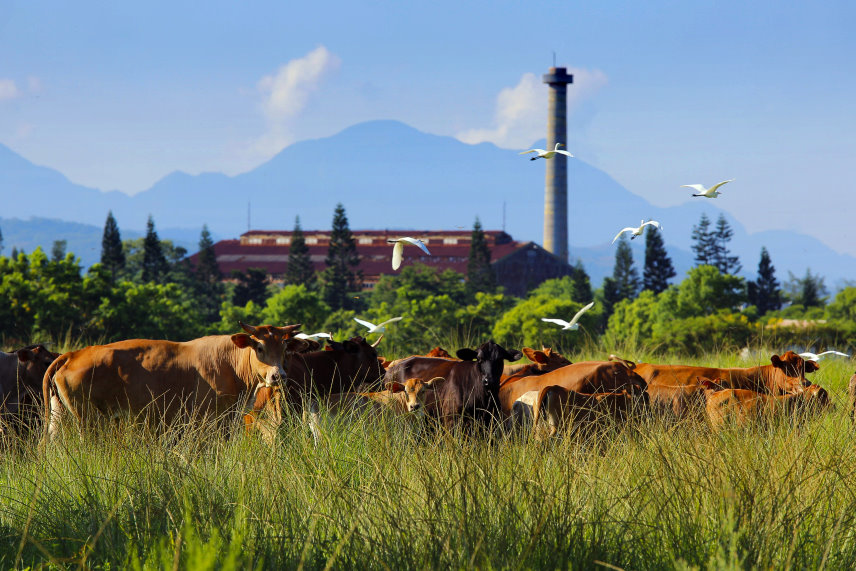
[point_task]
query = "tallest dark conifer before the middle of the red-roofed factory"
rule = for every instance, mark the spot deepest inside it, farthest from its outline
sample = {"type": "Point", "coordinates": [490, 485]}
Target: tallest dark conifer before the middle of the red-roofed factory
{"type": "Point", "coordinates": [342, 274]}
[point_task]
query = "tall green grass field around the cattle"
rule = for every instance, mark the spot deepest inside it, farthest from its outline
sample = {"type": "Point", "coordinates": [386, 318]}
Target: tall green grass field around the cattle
{"type": "Point", "coordinates": [378, 494]}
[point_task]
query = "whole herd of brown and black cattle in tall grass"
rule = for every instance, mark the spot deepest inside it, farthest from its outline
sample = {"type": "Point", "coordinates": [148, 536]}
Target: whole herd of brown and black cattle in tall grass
{"type": "Point", "coordinates": [267, 368]}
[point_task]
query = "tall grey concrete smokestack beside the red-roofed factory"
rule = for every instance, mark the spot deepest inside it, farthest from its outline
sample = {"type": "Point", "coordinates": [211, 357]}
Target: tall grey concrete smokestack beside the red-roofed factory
{"type": "Point", "coordinates": [556, 184]}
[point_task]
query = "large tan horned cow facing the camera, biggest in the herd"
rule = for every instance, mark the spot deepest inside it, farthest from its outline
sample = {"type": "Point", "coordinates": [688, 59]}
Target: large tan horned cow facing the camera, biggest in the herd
{"type": "Point", "coordinates": [166, 379]}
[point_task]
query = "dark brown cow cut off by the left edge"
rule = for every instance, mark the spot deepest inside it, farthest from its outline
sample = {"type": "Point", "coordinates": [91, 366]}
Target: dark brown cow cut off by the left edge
{"type": "Point", "coordinates": [21, 374]}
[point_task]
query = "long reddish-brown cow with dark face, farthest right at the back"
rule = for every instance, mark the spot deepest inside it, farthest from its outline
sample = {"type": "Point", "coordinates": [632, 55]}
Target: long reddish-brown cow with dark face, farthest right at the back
{"type": "Point", "coordinates": [785, 375]}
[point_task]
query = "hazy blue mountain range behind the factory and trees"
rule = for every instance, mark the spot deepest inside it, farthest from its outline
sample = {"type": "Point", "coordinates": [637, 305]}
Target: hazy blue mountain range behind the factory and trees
{"type": "Point", "coordinates": [387, 175]}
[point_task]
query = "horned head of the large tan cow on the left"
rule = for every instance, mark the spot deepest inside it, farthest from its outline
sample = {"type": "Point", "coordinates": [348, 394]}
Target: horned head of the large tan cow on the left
{"type": "Point", "coordinates": [270, 345]}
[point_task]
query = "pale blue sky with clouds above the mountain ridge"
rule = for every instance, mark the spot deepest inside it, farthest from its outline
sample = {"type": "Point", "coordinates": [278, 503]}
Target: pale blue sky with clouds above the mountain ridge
{"type": "Point", "coordinates": [116, 95]}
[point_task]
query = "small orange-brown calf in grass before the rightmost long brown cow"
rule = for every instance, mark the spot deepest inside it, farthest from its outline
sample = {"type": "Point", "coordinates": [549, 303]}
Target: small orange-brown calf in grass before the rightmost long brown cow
{"type": "Point", "coordinates": [743, 405]}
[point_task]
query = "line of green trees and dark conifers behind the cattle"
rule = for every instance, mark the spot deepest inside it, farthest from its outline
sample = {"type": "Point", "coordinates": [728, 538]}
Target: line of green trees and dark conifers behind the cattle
{"type": "Point", "coordinates": [148, 288]}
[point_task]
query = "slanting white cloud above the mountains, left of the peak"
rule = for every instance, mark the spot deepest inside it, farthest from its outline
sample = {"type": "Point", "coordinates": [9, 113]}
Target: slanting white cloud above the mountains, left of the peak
{"type": "Point", "coordinates": [285, 94]}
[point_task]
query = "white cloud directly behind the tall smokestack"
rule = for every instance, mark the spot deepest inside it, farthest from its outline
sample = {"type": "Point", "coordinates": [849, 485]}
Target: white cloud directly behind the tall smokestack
{"type": "Point", "coordinates": [521, 111]}
